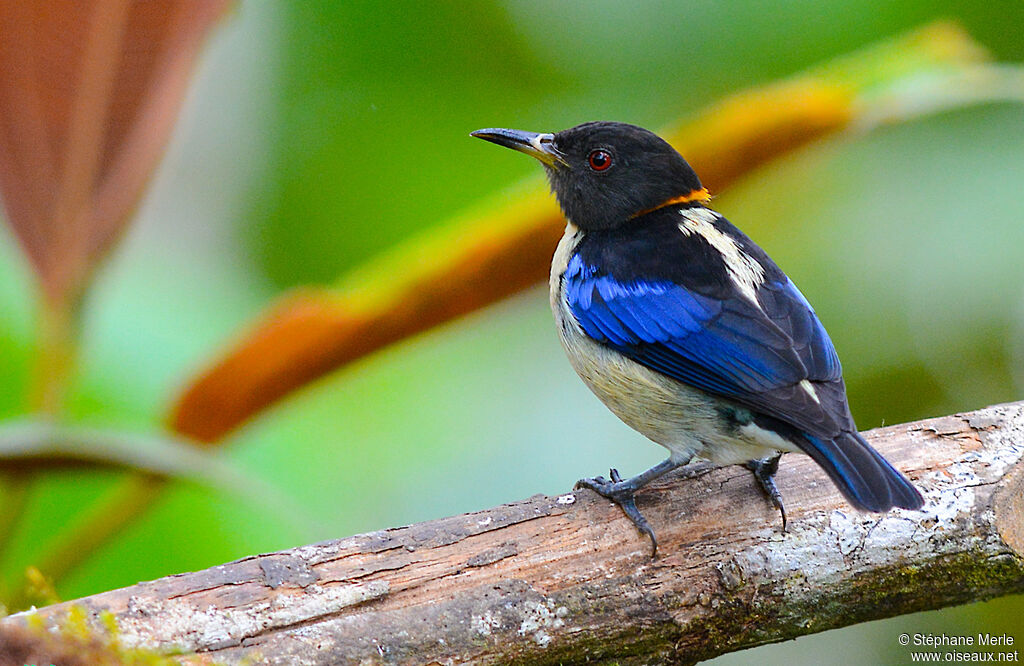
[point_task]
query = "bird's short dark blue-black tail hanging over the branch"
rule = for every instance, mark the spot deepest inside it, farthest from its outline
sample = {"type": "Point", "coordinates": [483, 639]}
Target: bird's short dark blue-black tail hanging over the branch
{"type": "Point", "coordinates": [866, 479]}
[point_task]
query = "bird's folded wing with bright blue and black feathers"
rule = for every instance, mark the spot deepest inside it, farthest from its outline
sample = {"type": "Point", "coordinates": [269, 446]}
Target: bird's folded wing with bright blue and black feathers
{"type": "Point", "coordinates": [756, 355]}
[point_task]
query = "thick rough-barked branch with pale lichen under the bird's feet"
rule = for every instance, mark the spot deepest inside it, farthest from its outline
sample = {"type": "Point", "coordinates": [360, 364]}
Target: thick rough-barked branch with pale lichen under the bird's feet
{"type": "Point", "coordinates": [568, 579]}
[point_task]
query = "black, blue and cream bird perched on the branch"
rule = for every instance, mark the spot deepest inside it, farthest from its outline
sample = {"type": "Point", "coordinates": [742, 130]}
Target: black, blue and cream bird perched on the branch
{"type": "Point", "coordinates": [688, 330]}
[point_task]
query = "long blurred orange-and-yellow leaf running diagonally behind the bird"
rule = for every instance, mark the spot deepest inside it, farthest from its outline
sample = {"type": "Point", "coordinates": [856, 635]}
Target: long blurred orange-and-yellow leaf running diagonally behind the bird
{"type": "Point", "coordinates": [503, 244]}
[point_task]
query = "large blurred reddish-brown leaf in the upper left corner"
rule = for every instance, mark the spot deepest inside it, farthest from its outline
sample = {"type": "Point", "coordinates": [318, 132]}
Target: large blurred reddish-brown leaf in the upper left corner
{"type": "Point", "coordinates": [90, 91]}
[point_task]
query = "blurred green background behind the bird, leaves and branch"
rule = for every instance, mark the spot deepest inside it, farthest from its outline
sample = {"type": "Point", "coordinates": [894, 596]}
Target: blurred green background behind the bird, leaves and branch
{"type": "Point", "coordinates": [318, 134]}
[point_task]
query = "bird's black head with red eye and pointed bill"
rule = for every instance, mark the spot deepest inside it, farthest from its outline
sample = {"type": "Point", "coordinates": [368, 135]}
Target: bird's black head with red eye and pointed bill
{"type": "Point", "coordinates": [604, 174]}
